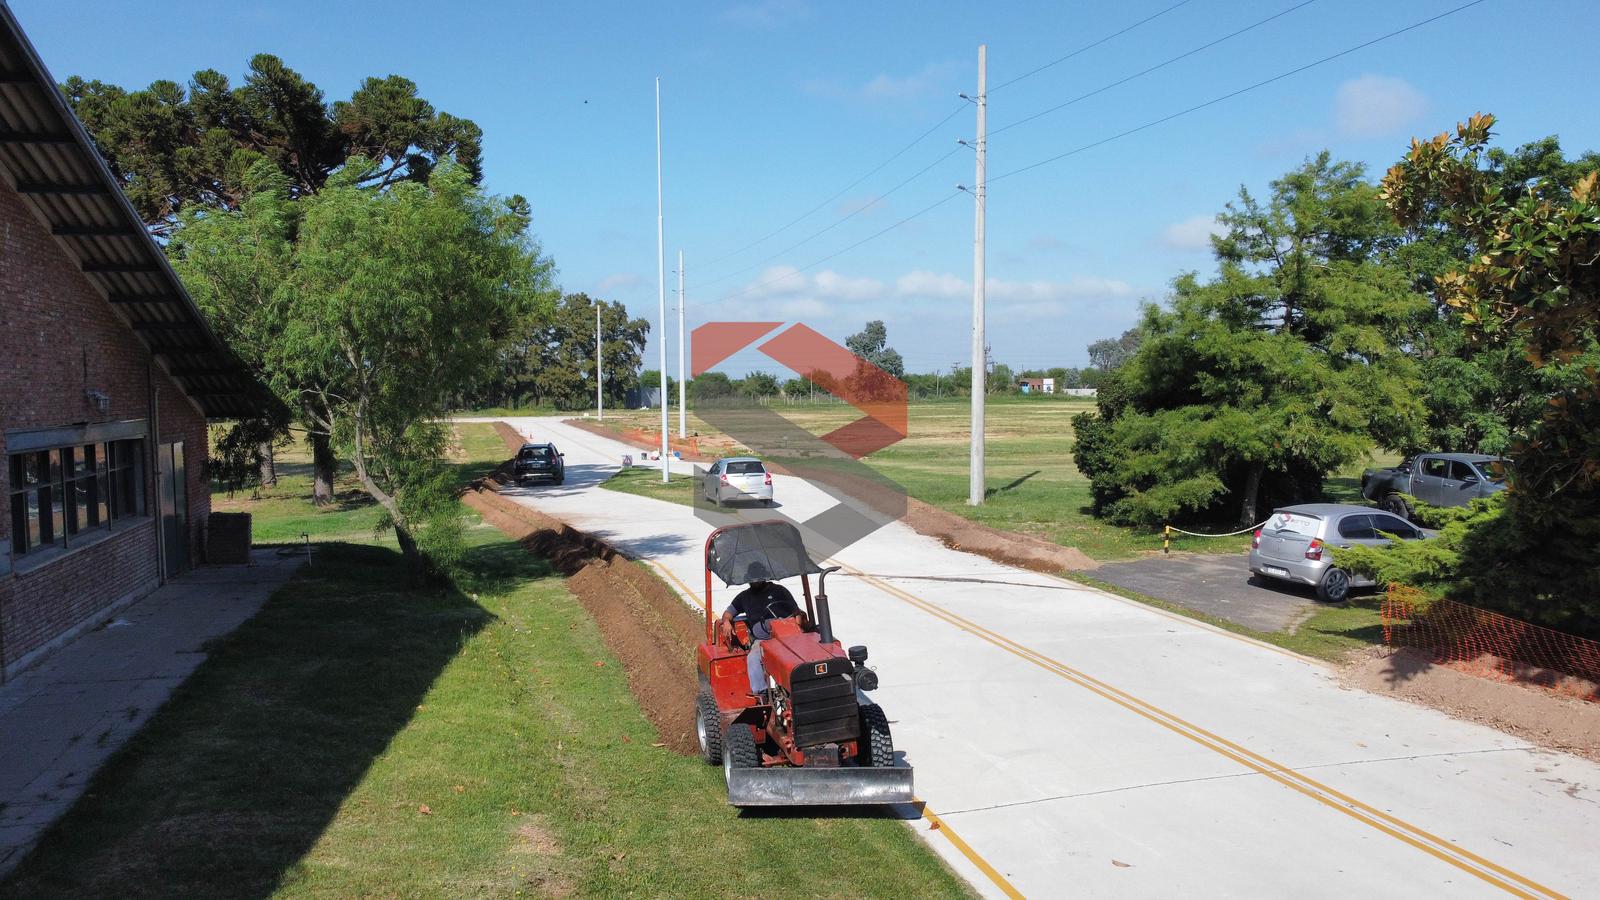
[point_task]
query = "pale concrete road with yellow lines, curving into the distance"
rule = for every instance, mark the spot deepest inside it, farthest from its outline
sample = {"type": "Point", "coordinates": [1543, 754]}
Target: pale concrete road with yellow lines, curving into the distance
{"type": "Point", "coordinates": [1076, 744]}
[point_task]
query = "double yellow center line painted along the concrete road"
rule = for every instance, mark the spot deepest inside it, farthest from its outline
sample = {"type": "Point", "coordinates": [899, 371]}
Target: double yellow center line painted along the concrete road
{"type": "Point", "coordinates": [1439, 848]}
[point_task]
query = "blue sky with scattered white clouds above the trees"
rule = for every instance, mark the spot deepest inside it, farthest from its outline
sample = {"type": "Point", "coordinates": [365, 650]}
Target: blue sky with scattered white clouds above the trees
{"type": "Point", "coordinates": [774, 106]}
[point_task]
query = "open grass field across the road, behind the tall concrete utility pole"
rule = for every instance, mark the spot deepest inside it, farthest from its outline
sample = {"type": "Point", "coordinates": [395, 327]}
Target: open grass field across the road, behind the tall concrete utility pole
{"type": "Point", "coordinates": [1033, 484]}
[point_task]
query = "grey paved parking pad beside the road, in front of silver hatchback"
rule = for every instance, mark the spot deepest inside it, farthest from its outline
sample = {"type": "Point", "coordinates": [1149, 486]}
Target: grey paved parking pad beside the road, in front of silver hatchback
{"type": "Point", "coordinates": [1218, 585]}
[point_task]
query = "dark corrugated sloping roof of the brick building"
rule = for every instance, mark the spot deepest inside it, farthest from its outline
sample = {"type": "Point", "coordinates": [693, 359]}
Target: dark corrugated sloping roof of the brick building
{"type": "Point", "coordinates": [49, 158]}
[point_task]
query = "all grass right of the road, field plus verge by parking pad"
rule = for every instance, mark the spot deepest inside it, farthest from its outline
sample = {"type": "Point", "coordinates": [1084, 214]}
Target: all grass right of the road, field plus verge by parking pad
{"type": "Point", "coordinates": [1036, 489]}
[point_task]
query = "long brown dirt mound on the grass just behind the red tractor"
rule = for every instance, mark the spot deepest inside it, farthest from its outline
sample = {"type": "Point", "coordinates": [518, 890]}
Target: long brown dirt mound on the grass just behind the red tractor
{"type": "Point", "coordinates": [642, 622]}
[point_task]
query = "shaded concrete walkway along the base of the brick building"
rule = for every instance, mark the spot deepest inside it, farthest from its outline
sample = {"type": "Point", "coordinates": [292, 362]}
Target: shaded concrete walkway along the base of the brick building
{"type": "Point", "coordinates": [65, 718]}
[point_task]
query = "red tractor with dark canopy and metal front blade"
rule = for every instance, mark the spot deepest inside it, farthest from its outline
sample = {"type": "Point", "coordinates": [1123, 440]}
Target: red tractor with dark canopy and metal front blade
{"type": "Point", "coordinates": [812, 737]}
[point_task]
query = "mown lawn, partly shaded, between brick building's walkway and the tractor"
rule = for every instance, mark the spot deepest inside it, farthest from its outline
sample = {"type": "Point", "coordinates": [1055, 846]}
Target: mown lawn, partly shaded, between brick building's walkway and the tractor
{"type": "Point", "coordinates": [364, 736]}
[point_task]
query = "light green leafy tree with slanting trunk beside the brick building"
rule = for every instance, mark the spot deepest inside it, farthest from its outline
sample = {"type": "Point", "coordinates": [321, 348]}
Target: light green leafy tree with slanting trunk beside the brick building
{"type": "Point", "coordinates": [369, 310]}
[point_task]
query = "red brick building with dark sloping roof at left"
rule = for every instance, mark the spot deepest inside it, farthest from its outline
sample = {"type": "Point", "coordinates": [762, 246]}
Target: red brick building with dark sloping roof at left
{"type": "Point", "coordinates": [108, 377]}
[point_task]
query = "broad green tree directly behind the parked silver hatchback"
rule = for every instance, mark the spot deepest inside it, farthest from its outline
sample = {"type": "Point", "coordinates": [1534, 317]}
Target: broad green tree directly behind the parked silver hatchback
{"type": "Point", "coordinates": [1250, 388]}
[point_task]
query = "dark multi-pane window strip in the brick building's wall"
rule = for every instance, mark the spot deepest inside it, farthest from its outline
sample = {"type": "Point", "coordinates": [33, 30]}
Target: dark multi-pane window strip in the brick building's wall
{"type": "Point", "coordinates": [73, 492]}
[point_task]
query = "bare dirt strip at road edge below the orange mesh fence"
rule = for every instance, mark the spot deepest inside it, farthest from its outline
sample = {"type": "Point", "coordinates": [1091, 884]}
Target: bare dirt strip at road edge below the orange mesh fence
{"type": "Point", "coordinates": [1535, 715]}
